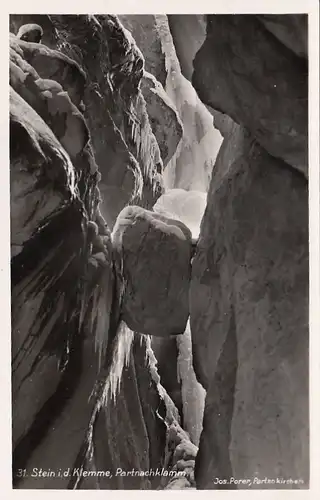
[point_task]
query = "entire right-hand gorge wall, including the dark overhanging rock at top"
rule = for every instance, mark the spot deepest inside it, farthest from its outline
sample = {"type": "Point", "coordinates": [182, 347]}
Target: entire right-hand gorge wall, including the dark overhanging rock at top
{"type": "Point", "coordinates": [249, 288]}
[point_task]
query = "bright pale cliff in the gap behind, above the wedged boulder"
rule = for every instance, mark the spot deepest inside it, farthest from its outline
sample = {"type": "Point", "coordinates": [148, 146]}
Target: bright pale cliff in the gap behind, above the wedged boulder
{"type": "Point", "coordinates": [191, 166]}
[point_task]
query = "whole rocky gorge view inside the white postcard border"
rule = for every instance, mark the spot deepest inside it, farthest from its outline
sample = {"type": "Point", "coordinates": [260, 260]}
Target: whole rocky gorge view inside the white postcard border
{"type": "Point", "coordinates": [159, 251]}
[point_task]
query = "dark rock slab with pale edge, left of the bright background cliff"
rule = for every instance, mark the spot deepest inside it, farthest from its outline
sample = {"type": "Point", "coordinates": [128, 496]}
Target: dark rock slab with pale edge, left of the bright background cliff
{"type": "Point", "coordinates": [164, 119]}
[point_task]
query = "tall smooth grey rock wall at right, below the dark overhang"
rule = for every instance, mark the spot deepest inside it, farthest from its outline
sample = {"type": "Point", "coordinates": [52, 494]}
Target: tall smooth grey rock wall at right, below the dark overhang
{"type": "Point", "coordinates": [249, 319]}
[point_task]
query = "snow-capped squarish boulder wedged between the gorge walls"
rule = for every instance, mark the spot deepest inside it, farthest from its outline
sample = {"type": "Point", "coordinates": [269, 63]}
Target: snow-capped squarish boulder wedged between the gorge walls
{"type": "Point", "coordinates": [155, 297]}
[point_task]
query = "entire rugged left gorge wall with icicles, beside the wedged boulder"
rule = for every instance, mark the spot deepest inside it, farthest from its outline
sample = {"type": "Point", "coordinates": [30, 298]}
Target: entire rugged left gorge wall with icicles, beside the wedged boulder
{"type": "Point", "coordinates": [74, 369]}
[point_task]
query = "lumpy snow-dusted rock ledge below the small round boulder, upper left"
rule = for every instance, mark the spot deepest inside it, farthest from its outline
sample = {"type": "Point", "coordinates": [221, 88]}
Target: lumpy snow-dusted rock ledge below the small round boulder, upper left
{"type": "Point", "coordinates": [47, 96]}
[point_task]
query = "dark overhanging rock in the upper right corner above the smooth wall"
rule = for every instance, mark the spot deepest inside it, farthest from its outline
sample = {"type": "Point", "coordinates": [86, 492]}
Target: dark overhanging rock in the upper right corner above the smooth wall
{"type": "Point", "coordinates": [246, 72]}
